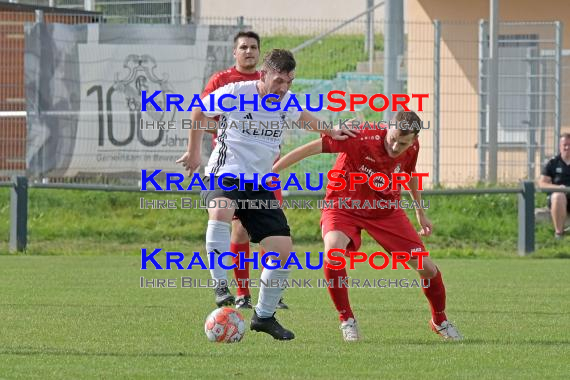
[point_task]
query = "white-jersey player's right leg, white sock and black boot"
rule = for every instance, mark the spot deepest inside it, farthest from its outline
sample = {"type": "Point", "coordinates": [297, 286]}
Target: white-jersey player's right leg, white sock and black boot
{"type": "Point", "coordinates": [264, 315]}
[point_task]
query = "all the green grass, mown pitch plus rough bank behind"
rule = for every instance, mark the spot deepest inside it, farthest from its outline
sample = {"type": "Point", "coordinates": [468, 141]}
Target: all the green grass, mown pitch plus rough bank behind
{"type": "Point", "coordinates": [71, 306]}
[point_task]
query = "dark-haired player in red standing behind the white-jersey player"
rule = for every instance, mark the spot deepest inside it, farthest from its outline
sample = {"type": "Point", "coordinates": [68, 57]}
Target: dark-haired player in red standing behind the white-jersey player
{"type": "Point", "coordinates": [246, 54]}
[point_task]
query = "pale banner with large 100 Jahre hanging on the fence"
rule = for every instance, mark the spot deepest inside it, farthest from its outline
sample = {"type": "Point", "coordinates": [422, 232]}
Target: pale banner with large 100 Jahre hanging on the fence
{"type": "Point", "coordinates": [85, 114]}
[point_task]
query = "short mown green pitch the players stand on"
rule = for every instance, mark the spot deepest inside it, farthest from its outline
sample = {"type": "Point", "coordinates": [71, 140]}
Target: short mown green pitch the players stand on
{"type": "Point", "coordinates": [86, 317]}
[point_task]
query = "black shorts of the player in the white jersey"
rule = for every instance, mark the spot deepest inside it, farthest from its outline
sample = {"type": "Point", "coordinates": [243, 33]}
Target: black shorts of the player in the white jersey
{"type": "Point", "coordinates": [259, 222]}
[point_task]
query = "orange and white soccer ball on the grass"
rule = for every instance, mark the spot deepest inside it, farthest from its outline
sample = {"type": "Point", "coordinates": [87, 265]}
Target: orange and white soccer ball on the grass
{"type": "Point", "coordinates": [224, 325]}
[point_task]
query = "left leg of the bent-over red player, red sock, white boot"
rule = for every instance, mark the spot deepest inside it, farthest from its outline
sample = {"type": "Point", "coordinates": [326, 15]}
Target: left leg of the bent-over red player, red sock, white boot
{"type": "Point", "coordinates": [339, 293]}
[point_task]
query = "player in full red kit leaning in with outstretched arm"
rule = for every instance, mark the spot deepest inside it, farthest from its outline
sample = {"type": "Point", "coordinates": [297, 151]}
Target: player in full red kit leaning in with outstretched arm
{"type": "Point", "coordinates": [376, 150]}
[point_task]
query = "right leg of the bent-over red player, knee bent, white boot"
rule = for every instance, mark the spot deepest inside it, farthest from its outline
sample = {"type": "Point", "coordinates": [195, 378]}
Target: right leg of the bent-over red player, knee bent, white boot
{"type": "Point", "coordinates": [434, 290]}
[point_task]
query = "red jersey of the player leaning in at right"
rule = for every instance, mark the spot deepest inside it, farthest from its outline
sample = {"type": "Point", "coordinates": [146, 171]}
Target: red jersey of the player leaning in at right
{"type": "Point", "coordinates": [367, 154]}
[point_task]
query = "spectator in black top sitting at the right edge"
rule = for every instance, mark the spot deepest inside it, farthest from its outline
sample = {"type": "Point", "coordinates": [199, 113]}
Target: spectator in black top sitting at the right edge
{"type": "Point", "coordinates": [554, 175]}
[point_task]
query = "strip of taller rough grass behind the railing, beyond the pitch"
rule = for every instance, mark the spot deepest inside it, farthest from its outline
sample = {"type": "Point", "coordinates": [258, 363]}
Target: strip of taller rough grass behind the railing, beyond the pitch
{"type": "Point", "coordinates": [69, 222]}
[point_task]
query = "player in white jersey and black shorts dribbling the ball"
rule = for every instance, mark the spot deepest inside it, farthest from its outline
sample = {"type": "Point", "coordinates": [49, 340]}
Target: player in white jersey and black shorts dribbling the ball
{"type": "Point", "coordinates": [249, 151]}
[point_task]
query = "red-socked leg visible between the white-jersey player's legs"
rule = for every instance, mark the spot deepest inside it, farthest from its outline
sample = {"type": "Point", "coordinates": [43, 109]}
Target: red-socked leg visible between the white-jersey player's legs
{"type": "Point", "coordinates": [240, 243]}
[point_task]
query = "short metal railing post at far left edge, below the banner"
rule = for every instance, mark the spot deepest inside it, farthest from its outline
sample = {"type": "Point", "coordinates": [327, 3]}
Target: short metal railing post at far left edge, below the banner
{"type": "Point", "coordinates": [19, 214]}
